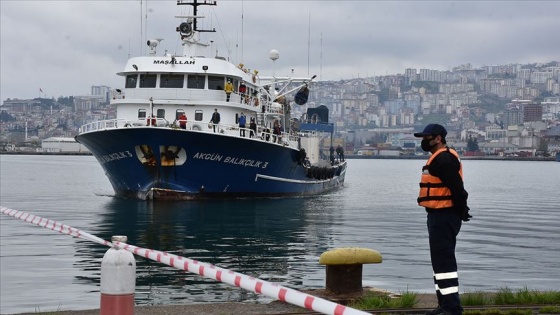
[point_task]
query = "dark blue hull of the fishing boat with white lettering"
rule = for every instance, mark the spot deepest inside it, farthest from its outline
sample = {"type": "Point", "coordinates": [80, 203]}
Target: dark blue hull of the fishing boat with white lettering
{"type": "Point", "coordinates": [163, 163]}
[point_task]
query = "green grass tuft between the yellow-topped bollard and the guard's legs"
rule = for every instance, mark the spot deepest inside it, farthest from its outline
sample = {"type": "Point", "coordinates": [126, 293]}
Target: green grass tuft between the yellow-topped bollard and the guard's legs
{"type": "Point", "coordinates": [375, 300]}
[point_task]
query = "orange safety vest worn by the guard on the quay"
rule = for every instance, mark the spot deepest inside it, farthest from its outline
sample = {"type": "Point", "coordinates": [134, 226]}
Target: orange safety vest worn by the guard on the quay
{"type": "Point", "coordinates": [433, 194]}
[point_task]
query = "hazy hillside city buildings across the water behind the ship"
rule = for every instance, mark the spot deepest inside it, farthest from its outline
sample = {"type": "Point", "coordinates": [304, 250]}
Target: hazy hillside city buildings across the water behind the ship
{"type": "Point", "coordinates": [493, 110]}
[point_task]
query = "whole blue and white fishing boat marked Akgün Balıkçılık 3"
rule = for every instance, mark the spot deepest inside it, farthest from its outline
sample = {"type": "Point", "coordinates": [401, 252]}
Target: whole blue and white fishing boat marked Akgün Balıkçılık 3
{"type": "Point", "coordinates": [196, 126]}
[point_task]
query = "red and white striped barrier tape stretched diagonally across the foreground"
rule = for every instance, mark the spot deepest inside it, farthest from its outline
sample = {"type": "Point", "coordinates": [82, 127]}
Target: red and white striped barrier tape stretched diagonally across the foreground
{"type": "Point", "coordinates": [256, 285]}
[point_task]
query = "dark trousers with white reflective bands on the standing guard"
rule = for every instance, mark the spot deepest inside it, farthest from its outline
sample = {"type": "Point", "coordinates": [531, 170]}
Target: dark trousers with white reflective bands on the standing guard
{"type": "Point", "coordinates": [443, 228]}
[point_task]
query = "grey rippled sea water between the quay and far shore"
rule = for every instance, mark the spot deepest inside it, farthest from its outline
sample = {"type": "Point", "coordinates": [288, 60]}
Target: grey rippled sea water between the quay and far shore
{"type": "Point", "coordinates": [513, 240]}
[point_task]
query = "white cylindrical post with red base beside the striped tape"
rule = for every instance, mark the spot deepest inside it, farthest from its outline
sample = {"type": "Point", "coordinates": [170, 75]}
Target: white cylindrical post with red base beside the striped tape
{"type": "Point", "coordinates": [118, 280]}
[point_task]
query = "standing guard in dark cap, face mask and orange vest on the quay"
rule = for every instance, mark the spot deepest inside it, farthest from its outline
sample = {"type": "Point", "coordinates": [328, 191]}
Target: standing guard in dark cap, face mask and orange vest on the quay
{"type": "Point", "coordinates": [443, 196]}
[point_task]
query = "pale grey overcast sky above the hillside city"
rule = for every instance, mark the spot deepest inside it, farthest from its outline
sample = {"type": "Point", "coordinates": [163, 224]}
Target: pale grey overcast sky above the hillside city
{"type": "Point", "coordinates": [65, 47]}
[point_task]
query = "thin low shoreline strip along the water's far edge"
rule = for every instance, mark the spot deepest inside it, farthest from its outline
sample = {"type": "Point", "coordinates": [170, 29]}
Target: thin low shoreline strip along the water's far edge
{"type": "Point", "coordinates": [350, 157]}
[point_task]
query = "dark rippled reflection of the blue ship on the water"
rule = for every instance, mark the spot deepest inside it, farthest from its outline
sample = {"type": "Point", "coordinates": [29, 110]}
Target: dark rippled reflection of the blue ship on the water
{"type": "Point", "coordinates": [263, 238]}
